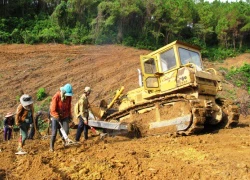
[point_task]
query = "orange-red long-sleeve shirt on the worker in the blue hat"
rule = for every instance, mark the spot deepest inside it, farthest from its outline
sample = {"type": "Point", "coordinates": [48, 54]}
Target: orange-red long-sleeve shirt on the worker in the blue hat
{"type": "Point", "coordinates": [60, 109]}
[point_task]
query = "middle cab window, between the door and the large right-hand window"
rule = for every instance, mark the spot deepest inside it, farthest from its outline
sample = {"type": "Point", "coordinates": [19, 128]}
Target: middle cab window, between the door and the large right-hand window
{"type": "Point", "coordinates": [168, 60]}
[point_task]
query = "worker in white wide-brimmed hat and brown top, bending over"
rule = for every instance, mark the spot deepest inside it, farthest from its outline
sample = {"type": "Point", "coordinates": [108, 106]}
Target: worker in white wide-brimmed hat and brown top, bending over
{"type": "Point", "coordinates": [24, 117]}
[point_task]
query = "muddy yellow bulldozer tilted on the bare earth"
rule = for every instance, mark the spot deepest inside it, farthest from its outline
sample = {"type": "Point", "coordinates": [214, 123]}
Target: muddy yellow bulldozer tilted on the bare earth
{"type": "Point", "coordinates": [175, 95]}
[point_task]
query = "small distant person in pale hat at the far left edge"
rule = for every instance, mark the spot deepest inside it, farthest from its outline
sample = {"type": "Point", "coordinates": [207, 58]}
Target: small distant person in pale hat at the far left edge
{"type": "Point", "coordinates": [8, 123]}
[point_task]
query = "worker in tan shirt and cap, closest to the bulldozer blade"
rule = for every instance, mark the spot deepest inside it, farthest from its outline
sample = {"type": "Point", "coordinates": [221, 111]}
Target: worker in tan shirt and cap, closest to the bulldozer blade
{"type": "Point", "coordinates": [82, 113]}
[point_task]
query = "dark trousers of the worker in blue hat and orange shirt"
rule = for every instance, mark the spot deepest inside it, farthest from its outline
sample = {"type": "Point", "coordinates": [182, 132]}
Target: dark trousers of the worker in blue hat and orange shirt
{"type": "Point", "coordinates": [55, 126]}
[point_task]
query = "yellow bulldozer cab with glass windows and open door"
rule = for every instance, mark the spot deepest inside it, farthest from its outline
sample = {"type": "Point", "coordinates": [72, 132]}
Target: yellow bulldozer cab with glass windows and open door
{"type": "Point", "coordinates": [160, 68]}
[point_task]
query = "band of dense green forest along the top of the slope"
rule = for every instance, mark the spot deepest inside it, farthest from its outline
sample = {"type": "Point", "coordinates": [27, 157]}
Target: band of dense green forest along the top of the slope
{"type": "Point", "coordinates": [147, 24]}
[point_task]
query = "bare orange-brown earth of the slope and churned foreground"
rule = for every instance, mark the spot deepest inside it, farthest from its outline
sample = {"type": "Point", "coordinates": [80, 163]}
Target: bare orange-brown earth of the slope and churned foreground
{"type": "Point", "coordinates": [213, 154]}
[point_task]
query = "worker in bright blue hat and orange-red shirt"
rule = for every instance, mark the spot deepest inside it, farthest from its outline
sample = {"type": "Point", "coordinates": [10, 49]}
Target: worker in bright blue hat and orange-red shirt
{"type": "Point", "coordinates": [60, 111]}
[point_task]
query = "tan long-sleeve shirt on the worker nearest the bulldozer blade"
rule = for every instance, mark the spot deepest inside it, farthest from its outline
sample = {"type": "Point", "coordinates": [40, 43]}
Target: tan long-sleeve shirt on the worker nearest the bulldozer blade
{"type": "Point", "coordinates": [82, 106]}
